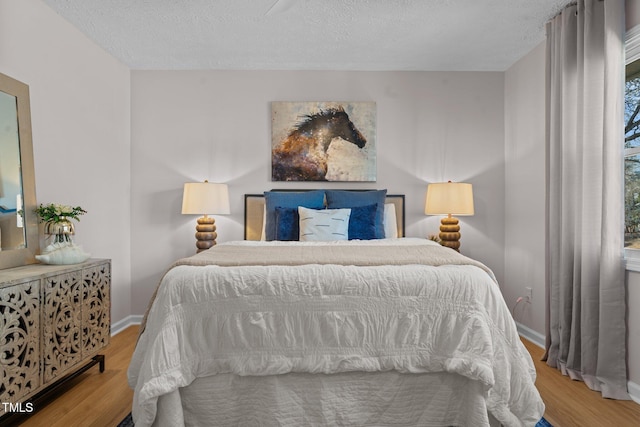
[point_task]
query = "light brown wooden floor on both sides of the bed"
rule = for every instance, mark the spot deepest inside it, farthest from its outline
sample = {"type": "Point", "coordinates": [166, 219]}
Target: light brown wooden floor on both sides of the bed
{"type": "Point", "coordinates": [102, 400]}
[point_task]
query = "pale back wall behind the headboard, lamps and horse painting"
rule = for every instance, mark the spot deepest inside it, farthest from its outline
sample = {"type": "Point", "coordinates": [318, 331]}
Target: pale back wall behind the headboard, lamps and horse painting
{"type": "Point", "coordinates": [215, 125]}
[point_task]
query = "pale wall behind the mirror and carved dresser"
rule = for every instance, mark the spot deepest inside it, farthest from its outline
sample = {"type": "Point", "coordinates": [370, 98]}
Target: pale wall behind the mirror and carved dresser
{"type": "Point", "coordinates": [81, 133]}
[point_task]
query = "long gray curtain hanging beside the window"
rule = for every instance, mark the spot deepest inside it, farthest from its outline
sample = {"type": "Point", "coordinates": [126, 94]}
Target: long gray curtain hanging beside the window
{"type": "Point", "coordinates": [586, 330]}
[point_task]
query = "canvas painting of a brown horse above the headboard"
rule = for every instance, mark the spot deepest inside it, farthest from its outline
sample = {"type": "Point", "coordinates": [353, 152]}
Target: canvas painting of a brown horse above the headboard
{"type": "Point", "coordinates": [323, 141]}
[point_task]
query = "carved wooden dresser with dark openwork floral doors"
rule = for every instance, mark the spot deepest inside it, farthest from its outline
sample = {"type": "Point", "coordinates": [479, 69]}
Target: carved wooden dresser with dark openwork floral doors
{"type": "Point", "coordinates": [54, 320]}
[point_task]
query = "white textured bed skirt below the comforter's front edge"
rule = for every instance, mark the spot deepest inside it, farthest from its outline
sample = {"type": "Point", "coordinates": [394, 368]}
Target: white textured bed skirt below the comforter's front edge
{"type": "Point", "coordinates": [347, 399]}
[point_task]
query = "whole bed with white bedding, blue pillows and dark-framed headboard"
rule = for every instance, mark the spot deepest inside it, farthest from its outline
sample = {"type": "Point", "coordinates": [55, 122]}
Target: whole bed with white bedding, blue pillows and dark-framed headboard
{"type": "Point", "coordinates": [390, 331]}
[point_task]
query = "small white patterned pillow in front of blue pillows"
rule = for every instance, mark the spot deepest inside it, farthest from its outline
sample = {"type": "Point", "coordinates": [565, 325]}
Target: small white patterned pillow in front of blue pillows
{"type": "Point", "coordinates": [324, 224]}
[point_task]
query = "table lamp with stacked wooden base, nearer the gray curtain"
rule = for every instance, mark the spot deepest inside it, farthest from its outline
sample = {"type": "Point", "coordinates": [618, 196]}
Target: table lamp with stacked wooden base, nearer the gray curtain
{"type": "Point", "coordinates": [449, 198]}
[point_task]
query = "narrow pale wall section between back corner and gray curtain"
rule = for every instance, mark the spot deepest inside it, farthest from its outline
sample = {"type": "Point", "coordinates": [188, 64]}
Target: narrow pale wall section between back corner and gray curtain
{"type": "Point", "coordinates": [525, 188]}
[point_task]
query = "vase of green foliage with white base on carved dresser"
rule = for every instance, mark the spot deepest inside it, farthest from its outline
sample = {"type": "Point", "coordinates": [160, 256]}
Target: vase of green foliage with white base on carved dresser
{"type": "Point", "coordinates": [57, 223]}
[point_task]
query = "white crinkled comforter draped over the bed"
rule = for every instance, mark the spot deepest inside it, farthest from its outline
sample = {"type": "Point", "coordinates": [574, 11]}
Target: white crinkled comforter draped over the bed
{"type": "Point", "coordinates": [325, 319]}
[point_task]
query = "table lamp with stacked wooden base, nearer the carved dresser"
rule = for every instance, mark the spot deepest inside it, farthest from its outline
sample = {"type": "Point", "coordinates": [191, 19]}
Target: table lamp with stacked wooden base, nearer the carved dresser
{"type": "Point", "coordinates": [205, 198]}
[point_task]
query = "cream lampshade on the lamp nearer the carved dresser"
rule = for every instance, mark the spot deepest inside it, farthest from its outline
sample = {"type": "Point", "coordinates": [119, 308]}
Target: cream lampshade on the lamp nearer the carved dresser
{"type": "Point", "coordinates": [205, 198]}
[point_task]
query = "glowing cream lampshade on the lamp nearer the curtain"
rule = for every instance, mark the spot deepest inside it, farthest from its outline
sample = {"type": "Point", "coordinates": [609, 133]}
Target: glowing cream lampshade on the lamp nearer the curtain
{"type": "Point", "coordinates": [449, 198]}
